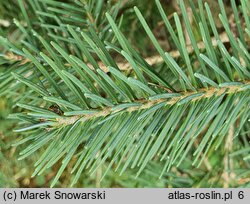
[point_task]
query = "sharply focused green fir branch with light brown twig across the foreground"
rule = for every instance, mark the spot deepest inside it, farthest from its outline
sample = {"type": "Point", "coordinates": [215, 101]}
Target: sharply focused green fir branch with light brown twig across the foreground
{"type": "Point", "coordinates": [124, 118]}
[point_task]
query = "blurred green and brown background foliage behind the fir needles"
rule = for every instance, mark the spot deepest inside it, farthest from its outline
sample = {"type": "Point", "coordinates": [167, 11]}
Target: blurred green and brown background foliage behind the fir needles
{"type": "Point", "coordinates": [17, 173]}
